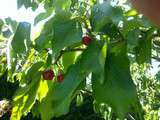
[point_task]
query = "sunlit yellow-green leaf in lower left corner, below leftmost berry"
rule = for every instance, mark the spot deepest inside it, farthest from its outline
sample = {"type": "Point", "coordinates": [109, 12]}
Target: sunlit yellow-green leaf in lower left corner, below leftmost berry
{"type": "Point", "coordinates": [24, 97]}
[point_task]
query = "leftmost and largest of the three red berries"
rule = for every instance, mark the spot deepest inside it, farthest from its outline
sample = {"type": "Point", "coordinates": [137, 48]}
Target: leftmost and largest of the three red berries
{"type": "Point", "coordinates": [48, 75]}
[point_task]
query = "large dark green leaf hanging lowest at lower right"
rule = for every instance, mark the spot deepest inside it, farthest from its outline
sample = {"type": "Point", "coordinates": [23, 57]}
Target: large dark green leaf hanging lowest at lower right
{"type": "Point", "coordinates": [120, 91]}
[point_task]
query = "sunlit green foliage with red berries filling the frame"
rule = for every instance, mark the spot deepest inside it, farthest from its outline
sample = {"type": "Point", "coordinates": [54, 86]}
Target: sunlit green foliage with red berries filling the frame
{"type": "Point", "coordinates": [102, 48]}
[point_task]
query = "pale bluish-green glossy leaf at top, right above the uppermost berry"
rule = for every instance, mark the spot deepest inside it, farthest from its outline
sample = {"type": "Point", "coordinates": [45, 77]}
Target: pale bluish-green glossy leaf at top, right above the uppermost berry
{"type": "Point", "coordinates": [103, 14]}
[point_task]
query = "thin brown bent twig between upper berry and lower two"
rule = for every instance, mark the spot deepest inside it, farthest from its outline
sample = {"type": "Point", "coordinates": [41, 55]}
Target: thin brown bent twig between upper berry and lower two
{"type": "Point", "coordinates": [67, 50]}
